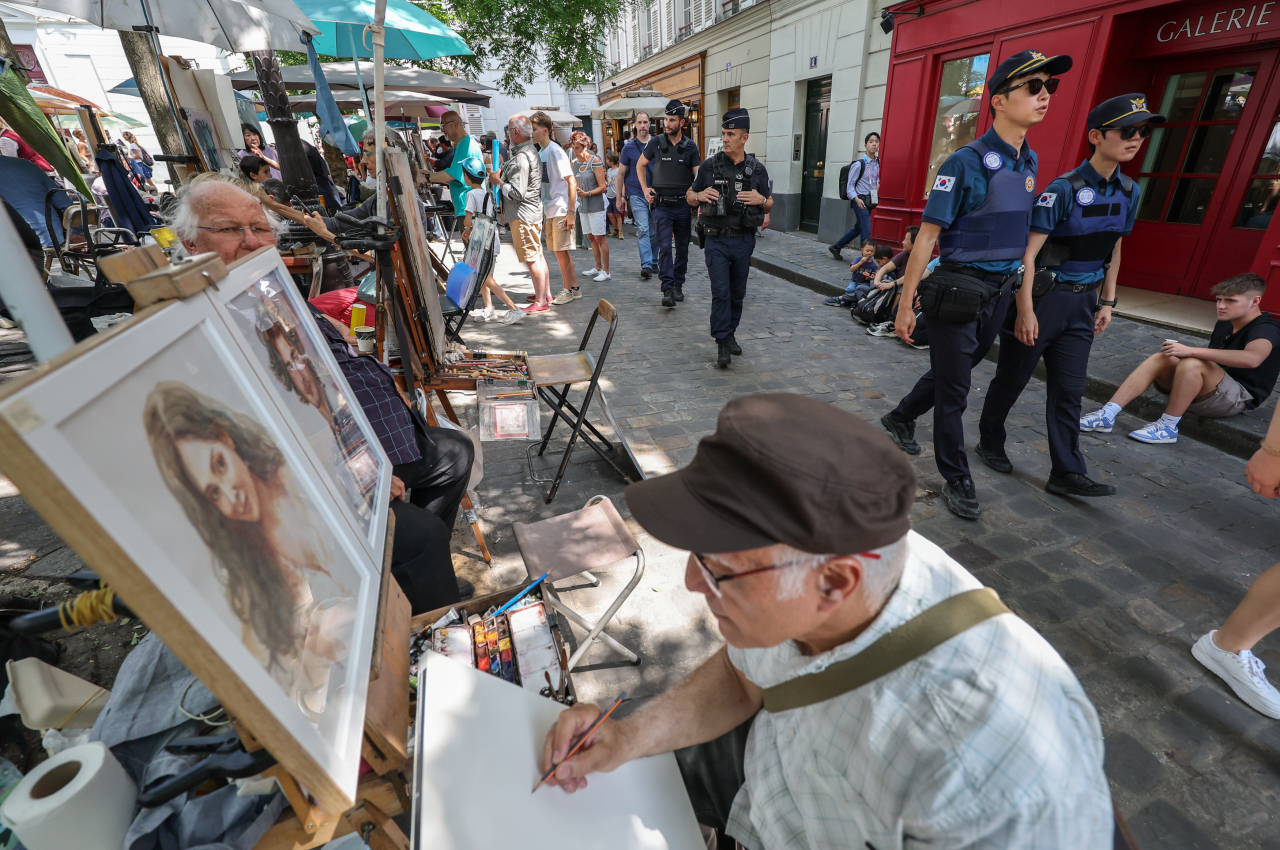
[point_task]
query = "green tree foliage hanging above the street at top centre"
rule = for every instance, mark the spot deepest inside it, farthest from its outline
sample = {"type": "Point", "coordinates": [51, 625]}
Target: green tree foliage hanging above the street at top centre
{"type": "Point", "coordinates": [519, 38]}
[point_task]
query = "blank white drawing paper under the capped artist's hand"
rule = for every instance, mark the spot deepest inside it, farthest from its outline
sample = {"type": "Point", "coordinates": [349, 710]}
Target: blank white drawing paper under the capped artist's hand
{"type": "Point", "coordinates": [479, 739]}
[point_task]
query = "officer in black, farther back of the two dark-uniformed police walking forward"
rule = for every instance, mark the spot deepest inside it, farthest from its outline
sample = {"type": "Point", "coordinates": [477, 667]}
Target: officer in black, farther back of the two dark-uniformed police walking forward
{"type": "Point", "coordinates": [675, 158]}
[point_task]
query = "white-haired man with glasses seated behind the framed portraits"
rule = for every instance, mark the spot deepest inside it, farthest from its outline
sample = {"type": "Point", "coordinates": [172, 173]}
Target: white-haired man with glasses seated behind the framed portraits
{"type": "Point", "coordinates": [431, 467]}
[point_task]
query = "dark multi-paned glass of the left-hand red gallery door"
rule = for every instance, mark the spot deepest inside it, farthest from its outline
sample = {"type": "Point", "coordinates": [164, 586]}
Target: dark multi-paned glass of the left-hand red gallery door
{"type": "Point", "coordinates": [1186, 157]}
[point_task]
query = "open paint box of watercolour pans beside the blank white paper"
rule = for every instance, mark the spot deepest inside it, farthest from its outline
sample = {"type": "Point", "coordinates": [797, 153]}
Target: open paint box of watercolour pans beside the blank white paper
{"type": "Point", "coordinates": [533, 657]}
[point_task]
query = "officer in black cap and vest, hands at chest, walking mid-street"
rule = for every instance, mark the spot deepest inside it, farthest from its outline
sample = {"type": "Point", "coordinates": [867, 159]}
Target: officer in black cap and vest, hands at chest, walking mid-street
{"type": "Point", "coordinates": [732, 194]}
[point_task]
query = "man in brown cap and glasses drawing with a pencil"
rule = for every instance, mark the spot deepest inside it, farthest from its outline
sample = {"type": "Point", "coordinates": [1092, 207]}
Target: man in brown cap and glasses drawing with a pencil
{"type": "Point", "coordinates": [964, 730]}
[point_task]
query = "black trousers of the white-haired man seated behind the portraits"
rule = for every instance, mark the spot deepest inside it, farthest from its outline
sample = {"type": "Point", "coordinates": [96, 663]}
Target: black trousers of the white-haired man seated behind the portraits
{"type": "Point", "coordinates": [424, 524]}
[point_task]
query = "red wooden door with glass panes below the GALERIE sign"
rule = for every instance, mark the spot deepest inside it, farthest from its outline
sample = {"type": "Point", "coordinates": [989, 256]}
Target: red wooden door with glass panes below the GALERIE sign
{"type": "Point", "coordinates": [1197, 173]}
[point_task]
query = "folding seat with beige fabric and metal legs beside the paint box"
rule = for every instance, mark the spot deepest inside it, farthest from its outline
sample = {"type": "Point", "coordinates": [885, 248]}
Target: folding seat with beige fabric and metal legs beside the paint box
{"type": "Point", "coordinates": [573, 545]}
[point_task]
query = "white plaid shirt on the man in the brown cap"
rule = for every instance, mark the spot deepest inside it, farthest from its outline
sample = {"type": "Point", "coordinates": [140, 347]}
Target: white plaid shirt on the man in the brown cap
{"type": "Point", "coordinates": [986, 742]}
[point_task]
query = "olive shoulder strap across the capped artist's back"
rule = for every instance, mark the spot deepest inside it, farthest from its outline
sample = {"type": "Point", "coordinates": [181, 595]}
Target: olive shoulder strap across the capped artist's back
{"type": "Point", "coordinates": [894, 650]}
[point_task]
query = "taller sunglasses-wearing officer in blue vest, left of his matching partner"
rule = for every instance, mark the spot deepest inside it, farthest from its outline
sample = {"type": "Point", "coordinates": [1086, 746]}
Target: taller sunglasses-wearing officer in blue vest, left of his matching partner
{"type": "Point", "coordinates": [979, 214]}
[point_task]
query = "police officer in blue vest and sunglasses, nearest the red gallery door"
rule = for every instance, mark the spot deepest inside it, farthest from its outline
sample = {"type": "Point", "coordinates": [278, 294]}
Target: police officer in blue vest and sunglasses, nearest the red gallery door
{"type": "Point", "coordinates": [1077, 227]}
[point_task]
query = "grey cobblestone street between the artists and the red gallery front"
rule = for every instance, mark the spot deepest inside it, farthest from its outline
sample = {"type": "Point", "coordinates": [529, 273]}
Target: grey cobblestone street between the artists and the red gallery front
{"type": "Point", "coordinates": [1121, 587]}
